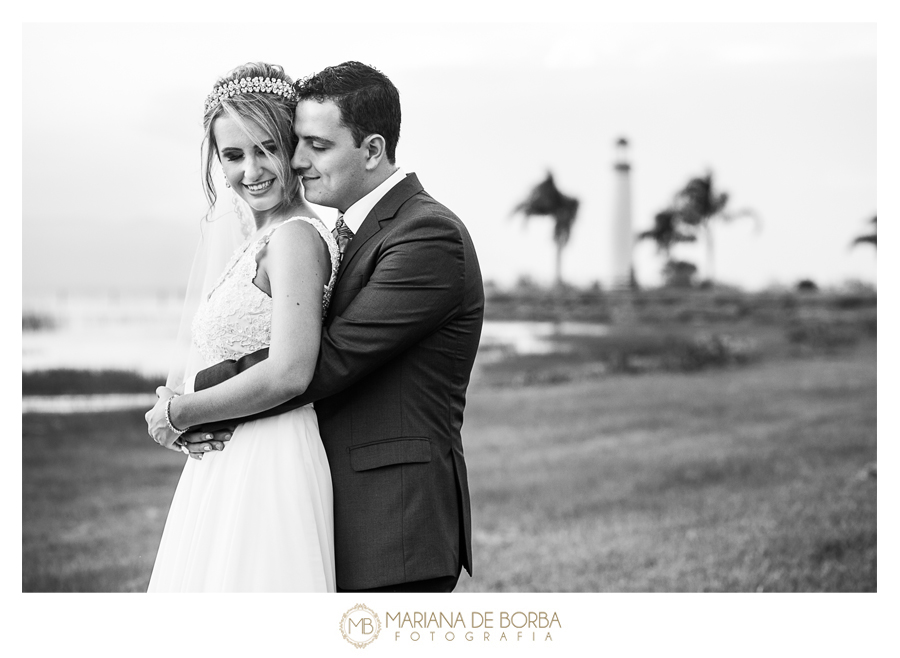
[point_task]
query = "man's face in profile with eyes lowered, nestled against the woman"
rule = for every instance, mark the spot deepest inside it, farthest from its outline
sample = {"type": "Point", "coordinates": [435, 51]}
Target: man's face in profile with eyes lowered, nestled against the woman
{"type": "Point", "coordinates": [330, 164]}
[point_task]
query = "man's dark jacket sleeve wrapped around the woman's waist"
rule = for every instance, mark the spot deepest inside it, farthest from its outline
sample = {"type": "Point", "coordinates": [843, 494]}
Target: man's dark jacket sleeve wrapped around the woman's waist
{"type": "Point", "coordinates": [416, 287]}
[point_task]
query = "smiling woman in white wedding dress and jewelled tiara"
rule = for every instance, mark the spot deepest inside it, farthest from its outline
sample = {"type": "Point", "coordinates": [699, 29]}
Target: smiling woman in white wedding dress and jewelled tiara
{"type": "Point", "coordinates": [258, 516]}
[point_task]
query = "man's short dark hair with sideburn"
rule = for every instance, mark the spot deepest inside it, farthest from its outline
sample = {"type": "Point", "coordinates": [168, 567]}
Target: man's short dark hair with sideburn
{"type": "Point", "coordinates": [368, 100]}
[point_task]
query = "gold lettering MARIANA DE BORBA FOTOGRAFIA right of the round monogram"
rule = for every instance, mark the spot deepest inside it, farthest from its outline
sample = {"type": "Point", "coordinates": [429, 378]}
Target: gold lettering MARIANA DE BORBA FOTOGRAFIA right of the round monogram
{"type": "Point", "coordinates": [478, 626]}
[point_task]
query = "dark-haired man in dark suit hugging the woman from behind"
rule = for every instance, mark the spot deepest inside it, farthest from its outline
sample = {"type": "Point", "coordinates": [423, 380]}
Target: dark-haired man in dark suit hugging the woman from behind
{"type": "Point", "coordinates": [397, 347]}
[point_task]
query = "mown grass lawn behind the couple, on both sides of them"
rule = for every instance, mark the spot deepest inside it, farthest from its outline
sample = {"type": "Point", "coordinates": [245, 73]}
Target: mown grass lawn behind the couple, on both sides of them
{"type": "Point", "coordinates": [757, 478]}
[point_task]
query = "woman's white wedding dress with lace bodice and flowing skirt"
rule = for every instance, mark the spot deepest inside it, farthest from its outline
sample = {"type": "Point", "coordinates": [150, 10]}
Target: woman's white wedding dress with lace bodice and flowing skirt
{"type": "Point", "coordinates": [256, 516]}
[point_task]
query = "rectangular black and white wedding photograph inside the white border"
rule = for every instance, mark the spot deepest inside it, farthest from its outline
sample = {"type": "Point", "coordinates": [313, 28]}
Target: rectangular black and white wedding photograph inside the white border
{"type": "Point", "coordinates": [419, 308]}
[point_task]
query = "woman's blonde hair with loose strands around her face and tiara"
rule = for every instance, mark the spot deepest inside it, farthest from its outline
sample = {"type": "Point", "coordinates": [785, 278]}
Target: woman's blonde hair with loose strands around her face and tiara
{"type": "Point", "coordinates": [272, 112]}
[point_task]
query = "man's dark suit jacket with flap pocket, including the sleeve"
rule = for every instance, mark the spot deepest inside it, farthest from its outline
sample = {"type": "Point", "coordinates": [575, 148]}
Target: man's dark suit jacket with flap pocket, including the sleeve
{"type": "Point", "coordinates": [389, 388]}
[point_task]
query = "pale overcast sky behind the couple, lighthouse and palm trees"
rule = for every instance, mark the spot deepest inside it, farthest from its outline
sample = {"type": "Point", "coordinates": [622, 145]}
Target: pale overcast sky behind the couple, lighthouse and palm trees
{"type": "Point", "coordinates": [784, 115]}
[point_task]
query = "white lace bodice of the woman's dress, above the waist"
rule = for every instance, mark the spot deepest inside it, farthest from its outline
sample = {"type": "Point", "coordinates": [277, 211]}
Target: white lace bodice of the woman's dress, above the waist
{"type": "Point", "coordinates": [235, 318]}
